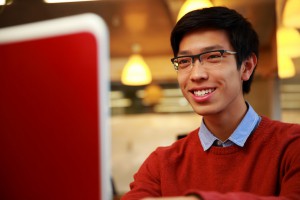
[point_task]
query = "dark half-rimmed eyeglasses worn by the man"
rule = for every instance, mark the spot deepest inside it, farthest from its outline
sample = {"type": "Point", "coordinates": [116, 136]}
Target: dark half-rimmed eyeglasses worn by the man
{"type": "Point", "coordinates": [209, 58]}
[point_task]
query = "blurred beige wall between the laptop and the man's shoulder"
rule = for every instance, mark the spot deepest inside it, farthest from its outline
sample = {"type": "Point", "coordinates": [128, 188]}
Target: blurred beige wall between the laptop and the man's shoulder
{"type": "Point", "coordinates": [134, 137]}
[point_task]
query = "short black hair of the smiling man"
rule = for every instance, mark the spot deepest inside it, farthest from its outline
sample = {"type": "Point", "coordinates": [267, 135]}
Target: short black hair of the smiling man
{"type": "Point", "coordinates": [242, 35]}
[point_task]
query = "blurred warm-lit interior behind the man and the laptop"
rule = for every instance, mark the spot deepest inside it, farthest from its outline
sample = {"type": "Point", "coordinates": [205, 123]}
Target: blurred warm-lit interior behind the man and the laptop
{"type": "Point", "coordinates": [151, 111]}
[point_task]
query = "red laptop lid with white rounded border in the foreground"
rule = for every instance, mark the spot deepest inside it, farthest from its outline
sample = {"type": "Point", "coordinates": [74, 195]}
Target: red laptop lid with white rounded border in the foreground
{"type": "Point", "coordinates": [54, 110]}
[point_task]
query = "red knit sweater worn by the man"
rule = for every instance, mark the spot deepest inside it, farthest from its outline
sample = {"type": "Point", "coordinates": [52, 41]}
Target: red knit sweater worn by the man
{"type": "Point", "coordinates": [267, 167]}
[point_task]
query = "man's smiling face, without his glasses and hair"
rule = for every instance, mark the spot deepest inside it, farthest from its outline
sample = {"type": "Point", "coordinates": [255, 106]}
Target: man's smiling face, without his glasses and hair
{"type": "Point", "coordinates": [211, 90]}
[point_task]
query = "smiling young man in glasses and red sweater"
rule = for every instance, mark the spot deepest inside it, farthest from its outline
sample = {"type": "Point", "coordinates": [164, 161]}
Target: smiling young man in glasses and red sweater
{"type": "Point", "coordinates": [235, 154]}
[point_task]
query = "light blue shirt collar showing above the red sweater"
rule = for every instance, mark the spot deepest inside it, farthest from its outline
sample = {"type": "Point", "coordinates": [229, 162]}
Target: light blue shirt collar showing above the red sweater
{"type": "Point", "coordinates": [238, 137]}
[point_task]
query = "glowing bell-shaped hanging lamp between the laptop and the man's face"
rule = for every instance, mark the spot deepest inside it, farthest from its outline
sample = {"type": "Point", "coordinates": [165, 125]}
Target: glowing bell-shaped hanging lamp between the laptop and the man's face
{"type": "Point", "coordinates": [136, 71]}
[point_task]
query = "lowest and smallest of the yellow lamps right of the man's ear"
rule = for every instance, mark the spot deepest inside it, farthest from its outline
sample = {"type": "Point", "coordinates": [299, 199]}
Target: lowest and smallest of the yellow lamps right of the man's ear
{"type": "Point", "coordinates": [286, 68]}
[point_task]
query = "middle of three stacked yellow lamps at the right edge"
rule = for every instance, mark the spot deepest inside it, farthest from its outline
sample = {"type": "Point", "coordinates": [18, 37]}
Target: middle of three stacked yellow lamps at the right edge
{"type": "Point", "coordinates": [288, 42]}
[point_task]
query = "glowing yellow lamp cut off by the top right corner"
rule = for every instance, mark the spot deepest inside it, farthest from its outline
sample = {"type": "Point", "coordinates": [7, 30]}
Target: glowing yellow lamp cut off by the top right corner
{"type": "Point", "coordinates": [291, 14]}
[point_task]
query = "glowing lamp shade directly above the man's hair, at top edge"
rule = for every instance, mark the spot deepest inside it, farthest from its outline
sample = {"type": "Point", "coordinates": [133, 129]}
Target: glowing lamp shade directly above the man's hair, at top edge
{"type": "Point", "coordinates": [190, 5]}
